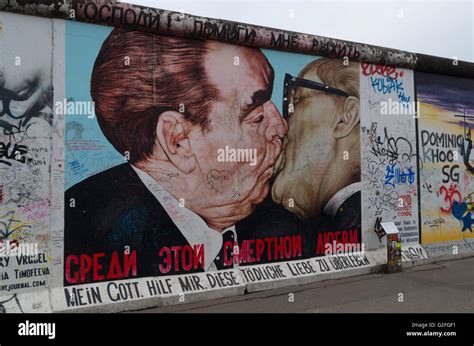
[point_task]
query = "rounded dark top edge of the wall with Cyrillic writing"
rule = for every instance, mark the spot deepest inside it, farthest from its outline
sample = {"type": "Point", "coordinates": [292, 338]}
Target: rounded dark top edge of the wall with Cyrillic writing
{"type": "Point", "coordinates": [154, 20]}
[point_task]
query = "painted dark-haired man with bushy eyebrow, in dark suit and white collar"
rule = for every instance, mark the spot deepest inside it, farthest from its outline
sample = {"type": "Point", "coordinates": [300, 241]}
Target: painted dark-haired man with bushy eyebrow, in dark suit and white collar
{"type": "Point", "coordinates": [171, 105]}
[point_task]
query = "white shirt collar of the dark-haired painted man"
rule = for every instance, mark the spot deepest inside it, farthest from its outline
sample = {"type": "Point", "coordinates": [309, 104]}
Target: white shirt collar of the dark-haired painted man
{"type": "Point", "coordinates": [191, 225]}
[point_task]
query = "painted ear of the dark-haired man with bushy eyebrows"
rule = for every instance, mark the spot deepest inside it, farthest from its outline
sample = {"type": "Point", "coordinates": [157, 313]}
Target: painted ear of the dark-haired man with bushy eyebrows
{"type": "Point", "coordinates": [172, 137]}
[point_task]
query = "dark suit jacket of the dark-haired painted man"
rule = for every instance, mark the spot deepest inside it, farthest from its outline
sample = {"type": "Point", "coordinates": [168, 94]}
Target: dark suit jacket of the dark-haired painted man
{"type": "Point", "coordinates": [114, 209]}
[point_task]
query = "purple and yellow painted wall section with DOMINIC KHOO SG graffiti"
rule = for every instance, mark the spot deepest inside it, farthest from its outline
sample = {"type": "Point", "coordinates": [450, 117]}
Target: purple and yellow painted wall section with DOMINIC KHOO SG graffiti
{"type": "Point", "coordinates": [445, 146]}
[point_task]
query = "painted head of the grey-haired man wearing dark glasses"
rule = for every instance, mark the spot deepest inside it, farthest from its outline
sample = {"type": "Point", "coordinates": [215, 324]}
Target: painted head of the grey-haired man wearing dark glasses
{"type": "Point", "coordinates": [323, 127]}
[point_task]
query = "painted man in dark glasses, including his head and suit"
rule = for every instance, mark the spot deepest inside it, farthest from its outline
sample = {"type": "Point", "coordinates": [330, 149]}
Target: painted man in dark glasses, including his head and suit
{"type": "Point", "coordinates": [318, 172]}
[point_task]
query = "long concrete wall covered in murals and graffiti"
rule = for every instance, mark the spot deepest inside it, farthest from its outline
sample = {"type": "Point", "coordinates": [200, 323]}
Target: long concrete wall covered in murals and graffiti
{"type": "Point", "coordinates": [143, 169]}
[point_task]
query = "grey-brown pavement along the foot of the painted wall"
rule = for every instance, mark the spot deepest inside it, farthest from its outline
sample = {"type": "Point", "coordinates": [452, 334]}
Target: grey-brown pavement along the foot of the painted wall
{"type": "Point", "coordinates": [440, 287]}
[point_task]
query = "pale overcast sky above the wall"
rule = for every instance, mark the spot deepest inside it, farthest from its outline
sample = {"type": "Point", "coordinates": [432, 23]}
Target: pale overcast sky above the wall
{"type": "Point", "coordinates": [443, 28]}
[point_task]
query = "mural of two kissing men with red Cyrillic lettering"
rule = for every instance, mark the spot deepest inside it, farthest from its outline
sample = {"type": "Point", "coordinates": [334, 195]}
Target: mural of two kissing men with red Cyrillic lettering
{"type": "Point", "coordinates": [199, 134]}
